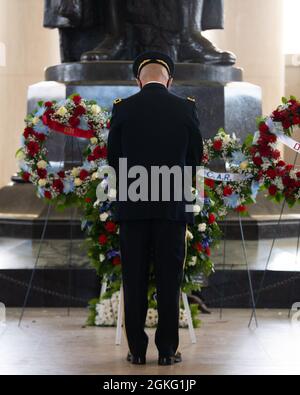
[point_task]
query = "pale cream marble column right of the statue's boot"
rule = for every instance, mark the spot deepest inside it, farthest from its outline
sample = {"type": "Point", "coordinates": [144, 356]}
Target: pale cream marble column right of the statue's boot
{"type": "Point", "coordinates": [254, 31]}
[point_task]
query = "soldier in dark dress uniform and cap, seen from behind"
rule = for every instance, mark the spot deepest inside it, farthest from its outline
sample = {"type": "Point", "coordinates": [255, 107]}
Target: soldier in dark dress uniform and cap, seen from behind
{"type": "Point", "coordinates": [153, 128]}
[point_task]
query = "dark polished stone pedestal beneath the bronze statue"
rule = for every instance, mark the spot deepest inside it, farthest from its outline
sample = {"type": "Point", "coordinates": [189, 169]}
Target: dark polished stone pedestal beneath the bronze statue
{"type": "Point", "coordinates": [223, 99]}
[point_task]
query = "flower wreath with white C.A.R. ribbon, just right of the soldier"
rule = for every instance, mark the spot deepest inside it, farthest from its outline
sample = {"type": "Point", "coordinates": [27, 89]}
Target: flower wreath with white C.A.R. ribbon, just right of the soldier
{"type": "Point", "coordinates": [237, 188]}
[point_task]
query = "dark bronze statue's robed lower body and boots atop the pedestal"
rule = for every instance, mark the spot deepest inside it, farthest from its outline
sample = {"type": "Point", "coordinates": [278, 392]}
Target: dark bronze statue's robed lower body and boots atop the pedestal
{"type": "Point", "coordinates": [120, 29]}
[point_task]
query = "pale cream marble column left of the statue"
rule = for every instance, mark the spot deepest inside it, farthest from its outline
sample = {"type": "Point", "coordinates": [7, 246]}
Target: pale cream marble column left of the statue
{"type": "Point", "coordinates": [29, 48]}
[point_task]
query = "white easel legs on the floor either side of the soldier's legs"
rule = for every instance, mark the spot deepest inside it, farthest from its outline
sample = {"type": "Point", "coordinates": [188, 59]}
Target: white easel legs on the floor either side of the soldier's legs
{"type": "Point", "coordinates": [120, 319]}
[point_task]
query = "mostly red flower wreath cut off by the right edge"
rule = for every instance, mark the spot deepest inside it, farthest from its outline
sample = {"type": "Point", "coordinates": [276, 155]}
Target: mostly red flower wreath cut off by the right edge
{"type": "Point", "coordinates": [281, 180]}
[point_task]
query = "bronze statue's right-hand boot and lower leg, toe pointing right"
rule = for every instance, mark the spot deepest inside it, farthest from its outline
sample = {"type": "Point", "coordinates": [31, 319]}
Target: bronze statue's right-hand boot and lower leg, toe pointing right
{"type": "Point", "coordinates": [194, 47]}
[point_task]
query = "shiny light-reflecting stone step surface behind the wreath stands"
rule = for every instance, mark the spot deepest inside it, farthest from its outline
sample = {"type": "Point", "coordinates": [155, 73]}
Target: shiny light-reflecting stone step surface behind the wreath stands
{"type": "Point", "coordinates": [21, 253]}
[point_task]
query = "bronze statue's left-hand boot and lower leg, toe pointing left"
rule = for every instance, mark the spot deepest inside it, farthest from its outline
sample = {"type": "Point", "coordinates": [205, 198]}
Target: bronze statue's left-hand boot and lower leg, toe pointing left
{"type": "Point", "coordinates": [113, 45]}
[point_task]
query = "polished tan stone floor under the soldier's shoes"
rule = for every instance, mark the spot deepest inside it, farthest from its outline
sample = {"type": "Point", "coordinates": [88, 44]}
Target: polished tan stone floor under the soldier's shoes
{"type": "Point", "coordinates": [51, 342]}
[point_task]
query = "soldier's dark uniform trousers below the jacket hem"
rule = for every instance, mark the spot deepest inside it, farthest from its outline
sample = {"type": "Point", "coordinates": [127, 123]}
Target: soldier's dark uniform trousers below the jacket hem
{"type": "Point", "coordinates": [164, 242]}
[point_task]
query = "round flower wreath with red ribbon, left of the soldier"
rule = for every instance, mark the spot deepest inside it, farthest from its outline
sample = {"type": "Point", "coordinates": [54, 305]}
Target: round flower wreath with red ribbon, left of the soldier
{"type": "Point", "coordinates": [75, 117]}
